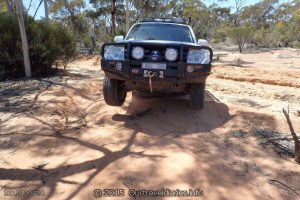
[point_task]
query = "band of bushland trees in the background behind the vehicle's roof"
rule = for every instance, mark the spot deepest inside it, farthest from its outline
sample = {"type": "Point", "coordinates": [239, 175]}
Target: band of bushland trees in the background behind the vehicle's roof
{"type": "Point", "coordinates": [93, 22]}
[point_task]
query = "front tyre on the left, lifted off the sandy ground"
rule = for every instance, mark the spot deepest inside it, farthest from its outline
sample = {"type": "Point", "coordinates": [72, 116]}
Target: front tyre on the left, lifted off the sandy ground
{"type": "Point", "coordinates": [114, 91]}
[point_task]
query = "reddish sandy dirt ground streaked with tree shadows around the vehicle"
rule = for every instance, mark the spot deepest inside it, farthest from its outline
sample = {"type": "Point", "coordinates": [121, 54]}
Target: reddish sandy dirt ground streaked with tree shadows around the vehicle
{"type": "Point", "coordinates": [64, 124]}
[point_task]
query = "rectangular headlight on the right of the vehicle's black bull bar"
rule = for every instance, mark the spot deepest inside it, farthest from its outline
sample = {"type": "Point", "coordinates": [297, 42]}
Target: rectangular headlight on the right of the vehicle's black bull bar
{"type": "Point", "coordinates": [198, 56]}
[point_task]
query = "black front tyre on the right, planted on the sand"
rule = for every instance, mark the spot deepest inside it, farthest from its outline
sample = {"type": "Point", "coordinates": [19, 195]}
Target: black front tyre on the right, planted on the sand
{"type": "Point", "coordinates": [197, 94]}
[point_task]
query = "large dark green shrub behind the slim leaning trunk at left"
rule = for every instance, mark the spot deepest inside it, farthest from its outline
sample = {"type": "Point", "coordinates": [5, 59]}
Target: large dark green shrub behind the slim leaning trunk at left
{"type": "Point", "coordinates": [48, 43]}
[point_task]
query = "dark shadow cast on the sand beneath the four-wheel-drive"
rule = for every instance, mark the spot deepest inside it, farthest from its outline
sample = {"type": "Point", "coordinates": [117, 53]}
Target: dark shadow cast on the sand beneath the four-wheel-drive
{"type": "Point", "coordinates": [161, 116]}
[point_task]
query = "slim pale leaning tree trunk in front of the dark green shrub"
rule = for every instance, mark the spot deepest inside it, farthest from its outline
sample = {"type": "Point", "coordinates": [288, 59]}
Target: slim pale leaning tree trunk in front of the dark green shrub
{"type": "Point", "coordinates": [20, 12]}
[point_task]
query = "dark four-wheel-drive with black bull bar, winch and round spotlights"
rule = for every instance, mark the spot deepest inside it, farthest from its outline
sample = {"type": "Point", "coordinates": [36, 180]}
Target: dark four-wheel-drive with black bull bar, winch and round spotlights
{"type": "Point", "coordinates": [156, 56]}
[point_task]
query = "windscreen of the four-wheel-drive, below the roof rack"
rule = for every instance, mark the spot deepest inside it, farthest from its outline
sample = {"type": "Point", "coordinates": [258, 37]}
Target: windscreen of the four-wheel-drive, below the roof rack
{"type": "Point", "coordinates": [170, 32]}
